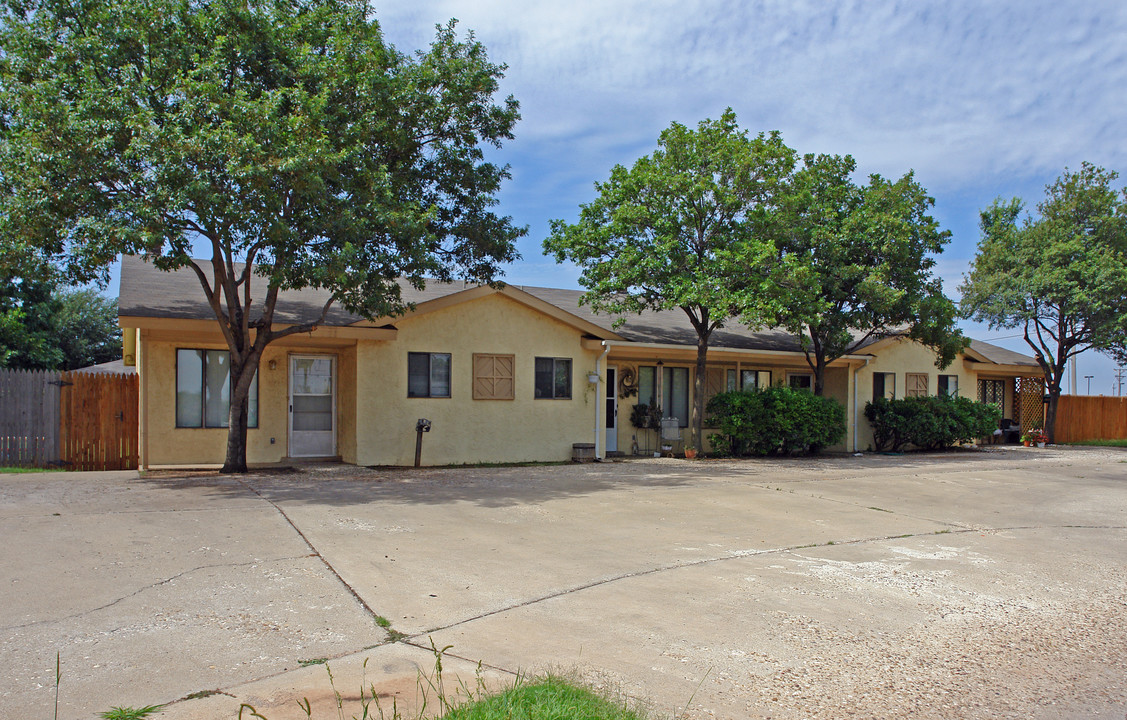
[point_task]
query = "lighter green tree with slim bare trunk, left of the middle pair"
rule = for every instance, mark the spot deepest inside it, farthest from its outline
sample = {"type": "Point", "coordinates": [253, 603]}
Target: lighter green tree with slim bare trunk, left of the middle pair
{"type": "Point", "coordinates": [687, 227]}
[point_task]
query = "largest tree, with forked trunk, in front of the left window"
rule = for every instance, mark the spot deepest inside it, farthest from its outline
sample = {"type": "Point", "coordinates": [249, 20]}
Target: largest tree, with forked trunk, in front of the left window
{"type": "Point", "coordinates": [286, 138]}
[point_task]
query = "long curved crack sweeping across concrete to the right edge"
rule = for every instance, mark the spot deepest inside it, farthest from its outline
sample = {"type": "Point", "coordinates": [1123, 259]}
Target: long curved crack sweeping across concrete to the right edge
{"type": "Point", "coordinates": [741, 555]}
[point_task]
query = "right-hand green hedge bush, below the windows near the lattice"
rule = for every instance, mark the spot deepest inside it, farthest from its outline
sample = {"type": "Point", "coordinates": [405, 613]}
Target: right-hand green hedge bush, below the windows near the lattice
{"type": "Point", "coordinates": [930, 422]}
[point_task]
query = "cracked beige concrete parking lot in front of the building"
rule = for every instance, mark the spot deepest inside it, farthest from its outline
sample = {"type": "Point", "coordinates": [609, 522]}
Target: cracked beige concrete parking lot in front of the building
{"type": "Point", "coordinates": [988, 584]}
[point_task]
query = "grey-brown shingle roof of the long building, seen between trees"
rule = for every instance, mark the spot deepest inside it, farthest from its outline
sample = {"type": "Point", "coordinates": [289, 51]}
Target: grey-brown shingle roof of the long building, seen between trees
{"type": "Point", "coordinates": [150, 294]}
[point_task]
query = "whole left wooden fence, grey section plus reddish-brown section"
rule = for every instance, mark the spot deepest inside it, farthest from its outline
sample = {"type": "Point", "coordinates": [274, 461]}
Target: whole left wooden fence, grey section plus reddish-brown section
{"type": "Point", "coordinates": [73, 420]}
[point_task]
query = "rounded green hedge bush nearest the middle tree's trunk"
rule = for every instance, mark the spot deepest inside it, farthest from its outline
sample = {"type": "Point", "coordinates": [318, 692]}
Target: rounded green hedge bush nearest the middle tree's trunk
{"type": "Point", "coordinates": [775, 421]}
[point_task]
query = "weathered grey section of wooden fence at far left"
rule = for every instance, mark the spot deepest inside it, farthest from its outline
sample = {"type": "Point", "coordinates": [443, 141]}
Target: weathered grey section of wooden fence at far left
{"type": "Point", "coordinates": [29, 419]}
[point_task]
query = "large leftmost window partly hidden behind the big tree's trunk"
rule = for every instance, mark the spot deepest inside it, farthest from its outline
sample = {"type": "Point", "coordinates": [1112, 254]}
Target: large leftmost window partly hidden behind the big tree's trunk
{"type": "Point", "coordinates": [203, 389]}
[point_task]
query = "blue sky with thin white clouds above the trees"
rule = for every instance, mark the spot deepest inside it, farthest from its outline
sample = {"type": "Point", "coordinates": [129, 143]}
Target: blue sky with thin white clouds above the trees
{"type": "Point", "coordinates": [981, 100]}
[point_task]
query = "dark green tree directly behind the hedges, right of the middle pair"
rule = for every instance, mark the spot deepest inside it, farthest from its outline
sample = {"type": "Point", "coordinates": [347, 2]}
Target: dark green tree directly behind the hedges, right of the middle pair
{"type": "Point", "coordinates": [867, 255]}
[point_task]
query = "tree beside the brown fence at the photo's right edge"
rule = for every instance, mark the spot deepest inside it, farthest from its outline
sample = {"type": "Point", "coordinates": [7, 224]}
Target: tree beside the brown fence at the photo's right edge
{"type": "Point", "coordinates": [1059, 275]}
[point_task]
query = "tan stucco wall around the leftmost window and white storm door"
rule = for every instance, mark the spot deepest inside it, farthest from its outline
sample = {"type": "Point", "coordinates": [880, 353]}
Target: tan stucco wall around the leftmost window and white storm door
{"type": "Point", "coordinates": [170, 446]}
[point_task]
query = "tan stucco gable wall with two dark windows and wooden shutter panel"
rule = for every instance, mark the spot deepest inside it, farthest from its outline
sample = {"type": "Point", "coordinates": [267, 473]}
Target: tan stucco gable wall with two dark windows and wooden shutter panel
{"type": "Point", "coordinates": [464, 430]}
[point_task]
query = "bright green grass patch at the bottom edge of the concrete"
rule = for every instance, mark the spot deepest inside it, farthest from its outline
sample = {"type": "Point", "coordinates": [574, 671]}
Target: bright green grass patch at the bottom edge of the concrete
{"type": "Point", "coordinates": [548, 699]}
